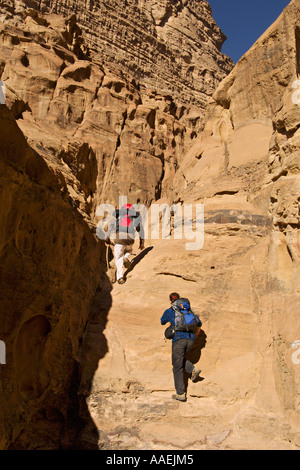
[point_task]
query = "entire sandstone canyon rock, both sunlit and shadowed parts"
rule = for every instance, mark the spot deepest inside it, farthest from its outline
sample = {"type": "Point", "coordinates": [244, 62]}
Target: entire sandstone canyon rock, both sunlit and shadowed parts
{"type": "Point", "coordinates": [125, 101]}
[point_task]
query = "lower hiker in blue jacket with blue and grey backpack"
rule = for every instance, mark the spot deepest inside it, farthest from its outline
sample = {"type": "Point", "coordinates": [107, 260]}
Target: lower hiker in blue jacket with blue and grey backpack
{"type": "Point", "coordinates": [184, 324]}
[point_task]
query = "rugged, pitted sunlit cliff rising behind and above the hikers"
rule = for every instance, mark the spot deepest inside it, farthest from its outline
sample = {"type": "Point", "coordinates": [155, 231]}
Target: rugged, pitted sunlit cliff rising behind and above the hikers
{"type": "Point", "coordinates": [117, 131]}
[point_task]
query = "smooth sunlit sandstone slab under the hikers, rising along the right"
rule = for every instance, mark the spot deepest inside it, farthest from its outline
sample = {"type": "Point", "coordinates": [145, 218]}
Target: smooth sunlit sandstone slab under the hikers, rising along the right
{"type": "Point", "coordinates": [244, 282]}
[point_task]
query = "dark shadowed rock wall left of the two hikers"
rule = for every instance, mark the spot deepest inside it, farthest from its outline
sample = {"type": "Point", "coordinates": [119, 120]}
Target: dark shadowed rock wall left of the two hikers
{"type": "Point", "coordinates": [51, 267]}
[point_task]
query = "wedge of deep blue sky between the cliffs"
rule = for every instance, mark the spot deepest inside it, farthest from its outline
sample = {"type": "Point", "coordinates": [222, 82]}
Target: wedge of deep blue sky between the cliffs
{"type": "Point", "coordinates": [244, 21]}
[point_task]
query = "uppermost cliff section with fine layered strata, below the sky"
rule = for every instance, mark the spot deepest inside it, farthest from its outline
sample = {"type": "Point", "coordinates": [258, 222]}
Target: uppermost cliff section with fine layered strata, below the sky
{"type": "Point", "coordinates": [170, 45]}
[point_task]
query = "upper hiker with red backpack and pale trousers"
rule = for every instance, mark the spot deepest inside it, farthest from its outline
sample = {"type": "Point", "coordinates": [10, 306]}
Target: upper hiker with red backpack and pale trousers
{"type": "Point", "coordinates": [121, 233]}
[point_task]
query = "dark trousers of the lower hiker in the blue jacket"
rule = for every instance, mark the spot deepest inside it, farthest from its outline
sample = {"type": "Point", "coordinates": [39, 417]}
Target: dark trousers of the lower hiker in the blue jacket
{"type": "Point", "coordinates": [180, 363]}
